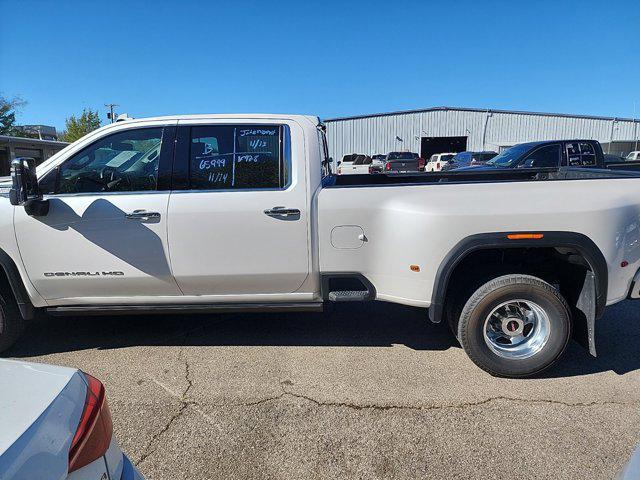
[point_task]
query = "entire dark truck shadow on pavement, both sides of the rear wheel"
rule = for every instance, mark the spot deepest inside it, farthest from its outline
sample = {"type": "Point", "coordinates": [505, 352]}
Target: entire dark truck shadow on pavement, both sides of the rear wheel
{"type": "Point", "coordinates": [346, 325]}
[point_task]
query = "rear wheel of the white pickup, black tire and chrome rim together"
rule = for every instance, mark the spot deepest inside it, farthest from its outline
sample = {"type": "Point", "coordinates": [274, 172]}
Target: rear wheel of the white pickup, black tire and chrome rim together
{"type": "Point", "coordinates": [515, 326]}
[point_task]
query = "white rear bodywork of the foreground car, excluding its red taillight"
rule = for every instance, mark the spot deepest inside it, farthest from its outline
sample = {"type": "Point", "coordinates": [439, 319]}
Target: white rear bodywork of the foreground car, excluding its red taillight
{"type": "Point", "coordinates": [40, 408]}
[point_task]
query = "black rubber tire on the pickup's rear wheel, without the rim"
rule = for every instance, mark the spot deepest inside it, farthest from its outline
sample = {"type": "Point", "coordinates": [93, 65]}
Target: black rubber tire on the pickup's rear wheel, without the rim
{"type": "Point", "coordinates": [471, 325]}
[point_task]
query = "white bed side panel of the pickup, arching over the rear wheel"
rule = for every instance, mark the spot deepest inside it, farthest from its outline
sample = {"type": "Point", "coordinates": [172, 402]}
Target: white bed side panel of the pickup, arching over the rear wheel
{"type": "Point", "coordinates": [418, 225]}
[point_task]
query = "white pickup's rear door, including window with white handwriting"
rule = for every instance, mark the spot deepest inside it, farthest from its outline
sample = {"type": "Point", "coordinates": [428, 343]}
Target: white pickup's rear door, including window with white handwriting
{"type": "Point", "coordinates": [227, 236]}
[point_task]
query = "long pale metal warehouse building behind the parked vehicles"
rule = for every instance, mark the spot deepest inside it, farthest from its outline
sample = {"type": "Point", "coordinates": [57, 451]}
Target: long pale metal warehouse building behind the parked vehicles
{"type": "Point", "coordinates": [447, 129]}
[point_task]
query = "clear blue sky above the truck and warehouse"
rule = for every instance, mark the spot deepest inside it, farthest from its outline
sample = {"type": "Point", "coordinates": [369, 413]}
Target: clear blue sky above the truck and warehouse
{"type": "Point", "coordinates": [319, 57]}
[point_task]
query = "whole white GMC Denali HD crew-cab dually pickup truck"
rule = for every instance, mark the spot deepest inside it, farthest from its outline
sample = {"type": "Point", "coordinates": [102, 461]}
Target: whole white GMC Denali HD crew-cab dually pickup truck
{"type": "Point", "coordinates": [214, 213]}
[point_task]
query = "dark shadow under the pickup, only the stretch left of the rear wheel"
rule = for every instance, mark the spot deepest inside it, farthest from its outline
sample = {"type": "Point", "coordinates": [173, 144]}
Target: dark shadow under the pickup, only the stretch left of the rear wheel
{"type": "Point", "coordinates": [349, 325]}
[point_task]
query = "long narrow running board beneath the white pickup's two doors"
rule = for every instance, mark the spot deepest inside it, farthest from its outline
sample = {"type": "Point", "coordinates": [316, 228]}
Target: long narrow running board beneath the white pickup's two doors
{"type": "Point", "coordinates": [186, 309]}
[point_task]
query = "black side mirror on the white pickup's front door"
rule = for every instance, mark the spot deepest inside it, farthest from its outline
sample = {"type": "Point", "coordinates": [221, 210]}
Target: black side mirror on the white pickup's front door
{"type": "Point", "coordinates": [25, 190]}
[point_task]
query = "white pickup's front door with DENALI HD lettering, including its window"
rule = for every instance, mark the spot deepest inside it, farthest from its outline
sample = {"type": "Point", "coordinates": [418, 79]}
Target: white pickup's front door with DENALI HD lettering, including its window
{"type": "Point", "coordinates": [104, 236]}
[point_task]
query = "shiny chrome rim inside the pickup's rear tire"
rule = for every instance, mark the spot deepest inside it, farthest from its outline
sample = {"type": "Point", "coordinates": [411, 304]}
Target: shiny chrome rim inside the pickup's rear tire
{"type": "Point", "coordinates": [517, 329]}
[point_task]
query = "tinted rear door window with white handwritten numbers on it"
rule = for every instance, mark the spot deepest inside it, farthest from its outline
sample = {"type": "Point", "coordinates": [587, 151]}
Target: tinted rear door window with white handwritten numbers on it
{"type": "Point", "coordinates": [237, 157]}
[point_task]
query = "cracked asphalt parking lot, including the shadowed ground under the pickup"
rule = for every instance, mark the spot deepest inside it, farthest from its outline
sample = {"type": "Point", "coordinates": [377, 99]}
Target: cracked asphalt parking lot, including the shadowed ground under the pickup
{"type": "Point", "coordinates": [366, 391]}
